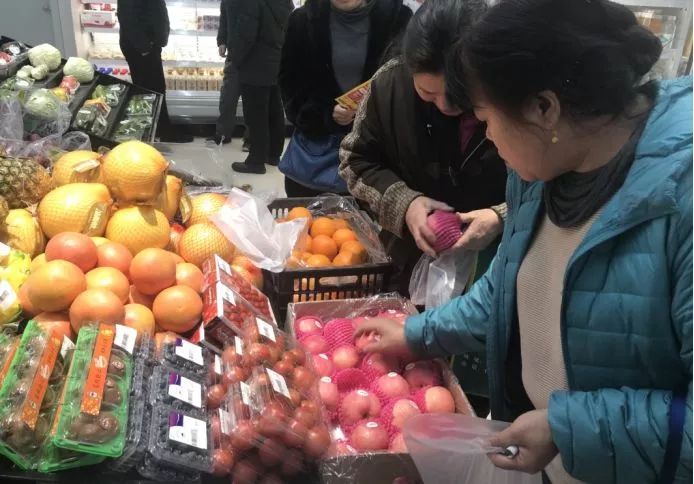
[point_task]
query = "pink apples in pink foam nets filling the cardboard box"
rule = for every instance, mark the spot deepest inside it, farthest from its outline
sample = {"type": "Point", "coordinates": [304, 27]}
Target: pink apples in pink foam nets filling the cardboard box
{"type": "Point", "coordinates": [369, 397]}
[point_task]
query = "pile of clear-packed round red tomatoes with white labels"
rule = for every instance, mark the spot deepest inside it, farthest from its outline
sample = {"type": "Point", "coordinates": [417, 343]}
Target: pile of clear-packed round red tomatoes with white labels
{"type": "Point", "coordinates": [274, 425]}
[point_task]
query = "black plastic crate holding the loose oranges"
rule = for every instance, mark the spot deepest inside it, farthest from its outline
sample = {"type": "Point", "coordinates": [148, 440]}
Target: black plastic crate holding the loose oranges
{"type": "Point", "coordinates": [320, 284]}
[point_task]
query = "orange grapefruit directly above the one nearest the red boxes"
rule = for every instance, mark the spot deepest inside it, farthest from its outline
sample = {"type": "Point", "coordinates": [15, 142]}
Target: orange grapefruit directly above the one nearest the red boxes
{"type": "Point", "coordinates": [153, 270]}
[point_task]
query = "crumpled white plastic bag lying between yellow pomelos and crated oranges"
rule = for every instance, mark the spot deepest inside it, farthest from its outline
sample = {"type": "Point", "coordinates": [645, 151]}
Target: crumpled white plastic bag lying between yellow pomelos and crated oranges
{"type": "Point", "coordinates": [247, 222]}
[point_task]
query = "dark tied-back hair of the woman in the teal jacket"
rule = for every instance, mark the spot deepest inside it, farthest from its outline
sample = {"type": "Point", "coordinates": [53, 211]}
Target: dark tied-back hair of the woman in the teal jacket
{"type": "Point", "coordinates": [590, 53]}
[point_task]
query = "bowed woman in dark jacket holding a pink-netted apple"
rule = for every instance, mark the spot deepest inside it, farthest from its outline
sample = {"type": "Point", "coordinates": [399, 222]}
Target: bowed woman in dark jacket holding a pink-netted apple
{"type": "Point", "coordinates": [412, 151]}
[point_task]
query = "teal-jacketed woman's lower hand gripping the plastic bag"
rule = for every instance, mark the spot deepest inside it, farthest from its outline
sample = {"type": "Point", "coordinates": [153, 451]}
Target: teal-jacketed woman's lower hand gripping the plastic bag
{"type": "Point", "coordinates": [533, 436]}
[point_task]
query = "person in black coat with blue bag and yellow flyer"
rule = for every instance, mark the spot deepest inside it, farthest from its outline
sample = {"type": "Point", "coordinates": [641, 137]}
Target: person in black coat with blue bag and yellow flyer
{"type": "Point", "coordinates": [332, 46]}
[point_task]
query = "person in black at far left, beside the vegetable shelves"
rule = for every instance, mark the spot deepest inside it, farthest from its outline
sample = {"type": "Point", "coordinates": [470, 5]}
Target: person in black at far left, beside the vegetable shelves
{"type": "Point", "coordinates": [144, 31]}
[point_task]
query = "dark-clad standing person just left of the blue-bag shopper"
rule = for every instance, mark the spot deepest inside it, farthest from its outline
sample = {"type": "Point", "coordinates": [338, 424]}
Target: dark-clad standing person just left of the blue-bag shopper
{"type": "Point", "coordinates": [257, 29]}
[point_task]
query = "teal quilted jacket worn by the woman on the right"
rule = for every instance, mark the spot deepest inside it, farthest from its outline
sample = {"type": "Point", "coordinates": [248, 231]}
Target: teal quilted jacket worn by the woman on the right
{"type": "Point", "coordinates": [626, 317]}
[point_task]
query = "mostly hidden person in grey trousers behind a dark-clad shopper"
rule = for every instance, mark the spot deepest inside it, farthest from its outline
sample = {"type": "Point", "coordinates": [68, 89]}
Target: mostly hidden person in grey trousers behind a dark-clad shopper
{"type": "Point", "coordinates": [231, 86]}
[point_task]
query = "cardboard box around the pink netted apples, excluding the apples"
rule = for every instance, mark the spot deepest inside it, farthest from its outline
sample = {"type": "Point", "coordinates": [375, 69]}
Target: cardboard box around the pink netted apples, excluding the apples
{"type": "Point", "coordinates": [373, 466]}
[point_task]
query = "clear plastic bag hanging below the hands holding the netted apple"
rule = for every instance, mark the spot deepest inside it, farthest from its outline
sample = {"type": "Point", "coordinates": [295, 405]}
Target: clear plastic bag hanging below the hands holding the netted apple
{"type": "Point", "coordinates": [436, 281]}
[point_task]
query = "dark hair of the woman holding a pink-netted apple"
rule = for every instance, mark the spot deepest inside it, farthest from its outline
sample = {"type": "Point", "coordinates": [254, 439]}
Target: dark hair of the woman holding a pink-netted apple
{"type": "Point", "coordinates": [433, 31]}
